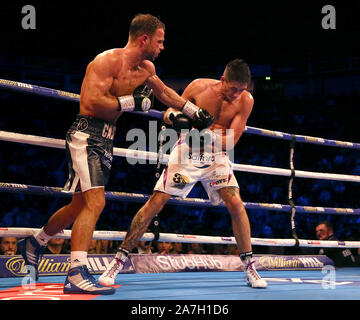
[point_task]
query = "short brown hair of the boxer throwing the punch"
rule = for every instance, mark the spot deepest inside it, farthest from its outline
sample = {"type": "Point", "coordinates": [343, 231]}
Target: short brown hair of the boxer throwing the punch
{"type": "Point", "coordinates": [144, 23]}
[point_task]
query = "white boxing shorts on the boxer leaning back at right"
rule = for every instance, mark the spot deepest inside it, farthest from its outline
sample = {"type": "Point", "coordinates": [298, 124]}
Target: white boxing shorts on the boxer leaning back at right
{"type": "Point", "coordinates": [186, 167]}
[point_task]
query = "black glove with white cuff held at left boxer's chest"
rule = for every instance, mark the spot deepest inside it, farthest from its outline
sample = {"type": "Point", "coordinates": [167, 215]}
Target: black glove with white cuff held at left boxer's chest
{"type": "Point", "coordinates": [141, 100]}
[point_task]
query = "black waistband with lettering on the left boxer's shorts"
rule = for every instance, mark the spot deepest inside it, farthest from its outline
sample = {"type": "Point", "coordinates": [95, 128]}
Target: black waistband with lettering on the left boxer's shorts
{"type": "Point", "coordinates": [96, 126]}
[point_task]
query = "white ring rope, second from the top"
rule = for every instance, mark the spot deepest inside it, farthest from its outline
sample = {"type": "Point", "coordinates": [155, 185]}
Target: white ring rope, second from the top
{"type": "Point", "coordinates": [153, 156]}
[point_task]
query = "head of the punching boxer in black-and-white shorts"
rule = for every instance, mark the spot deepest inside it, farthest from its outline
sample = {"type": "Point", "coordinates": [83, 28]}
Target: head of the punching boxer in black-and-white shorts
{"type": "Point", "coordinates": [150, 32]}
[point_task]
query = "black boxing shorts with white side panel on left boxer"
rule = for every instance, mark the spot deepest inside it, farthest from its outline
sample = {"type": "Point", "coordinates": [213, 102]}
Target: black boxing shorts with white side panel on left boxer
{"type": "Point", "coordinates": [89, 151]}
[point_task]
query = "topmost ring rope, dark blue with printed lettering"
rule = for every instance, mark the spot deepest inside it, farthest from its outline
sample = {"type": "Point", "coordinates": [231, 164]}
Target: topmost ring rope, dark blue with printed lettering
{"type": "Point", "coordinates": [59, 94]}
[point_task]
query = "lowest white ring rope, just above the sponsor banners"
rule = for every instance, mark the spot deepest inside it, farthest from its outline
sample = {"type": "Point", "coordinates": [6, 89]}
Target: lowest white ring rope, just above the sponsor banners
{"type": "Point", "coordinates": [185, 238]}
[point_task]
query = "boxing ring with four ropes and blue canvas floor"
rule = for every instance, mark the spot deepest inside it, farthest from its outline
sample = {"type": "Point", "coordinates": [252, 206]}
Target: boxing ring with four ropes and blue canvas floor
{"type": "Point", "coordinates": [319, 283]}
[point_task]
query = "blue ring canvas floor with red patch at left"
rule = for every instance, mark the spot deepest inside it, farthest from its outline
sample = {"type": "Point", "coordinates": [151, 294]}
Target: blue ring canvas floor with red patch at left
{"type": "Point", "coordinates": [216, 286]}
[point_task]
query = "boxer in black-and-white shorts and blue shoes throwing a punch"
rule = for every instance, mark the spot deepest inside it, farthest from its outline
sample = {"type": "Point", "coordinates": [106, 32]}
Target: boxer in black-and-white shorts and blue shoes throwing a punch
{"type": "Point", "coordinates": [108, 90]}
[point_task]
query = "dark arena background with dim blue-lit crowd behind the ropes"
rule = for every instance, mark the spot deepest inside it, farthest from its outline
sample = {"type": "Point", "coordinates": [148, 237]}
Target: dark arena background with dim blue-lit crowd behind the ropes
{"type": "Point", "coordinates": [313, 91]}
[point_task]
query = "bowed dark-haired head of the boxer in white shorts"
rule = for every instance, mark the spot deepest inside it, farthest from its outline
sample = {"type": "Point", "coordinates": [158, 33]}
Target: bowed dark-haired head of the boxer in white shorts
{"type": "Point", "coordinates": [236, 79]}
